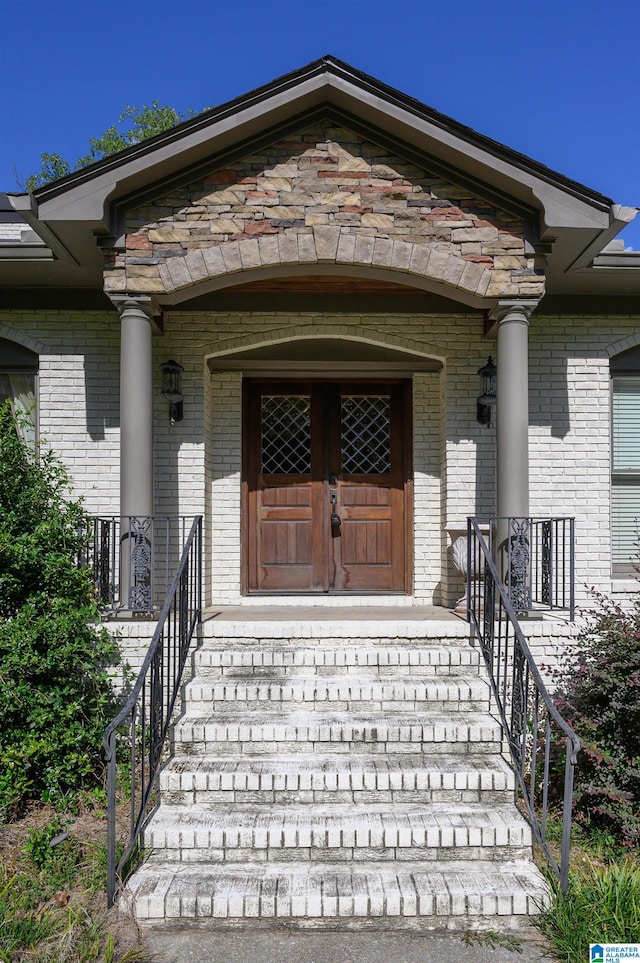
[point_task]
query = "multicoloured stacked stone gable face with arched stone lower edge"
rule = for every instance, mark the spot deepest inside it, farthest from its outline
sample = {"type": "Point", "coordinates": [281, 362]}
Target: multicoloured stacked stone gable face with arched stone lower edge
{"type": "Point", "coordinates": [324, 199]}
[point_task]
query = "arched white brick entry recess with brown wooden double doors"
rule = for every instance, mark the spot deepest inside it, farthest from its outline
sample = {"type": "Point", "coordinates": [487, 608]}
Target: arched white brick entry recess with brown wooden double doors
{"type": "Point", "coordinates": [313, 453]}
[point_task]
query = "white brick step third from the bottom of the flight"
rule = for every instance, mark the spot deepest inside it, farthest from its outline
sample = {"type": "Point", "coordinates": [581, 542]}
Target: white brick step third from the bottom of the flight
{"type": "Point", "coordinates": [330, 779]}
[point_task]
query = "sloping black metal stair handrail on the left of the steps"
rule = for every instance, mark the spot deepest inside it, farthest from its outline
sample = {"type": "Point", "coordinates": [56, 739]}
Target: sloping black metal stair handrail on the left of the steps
{"type": "Point", "coordinates": [141, 726]}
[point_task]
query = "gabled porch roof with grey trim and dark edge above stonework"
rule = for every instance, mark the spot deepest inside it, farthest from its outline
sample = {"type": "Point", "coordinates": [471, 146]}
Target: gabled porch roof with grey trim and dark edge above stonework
{"type": "Point", "coordinates": [573, 221]}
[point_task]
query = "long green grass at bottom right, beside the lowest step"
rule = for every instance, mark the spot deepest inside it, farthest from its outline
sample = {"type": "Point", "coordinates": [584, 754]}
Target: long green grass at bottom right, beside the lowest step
{"type": "Point", "coordinates": [602, 902]}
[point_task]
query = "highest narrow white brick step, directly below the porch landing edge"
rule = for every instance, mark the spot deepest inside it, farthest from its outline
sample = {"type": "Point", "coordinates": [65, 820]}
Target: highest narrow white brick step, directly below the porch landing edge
{"type": "Point", "coordinates": [272, 660]}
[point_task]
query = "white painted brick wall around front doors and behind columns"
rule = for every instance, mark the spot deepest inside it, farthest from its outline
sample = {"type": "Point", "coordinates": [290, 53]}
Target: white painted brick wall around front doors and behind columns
{"type": "Point", "coordinates": [198, 462]}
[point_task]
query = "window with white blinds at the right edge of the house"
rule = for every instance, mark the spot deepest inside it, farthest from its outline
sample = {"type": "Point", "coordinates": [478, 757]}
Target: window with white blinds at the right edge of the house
{"type": "Point", "coordinates": [625, 460]}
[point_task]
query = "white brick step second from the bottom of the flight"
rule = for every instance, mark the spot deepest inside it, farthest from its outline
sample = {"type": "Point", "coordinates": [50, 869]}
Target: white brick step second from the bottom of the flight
{"type": "Point", "coordinates": [331, 833]}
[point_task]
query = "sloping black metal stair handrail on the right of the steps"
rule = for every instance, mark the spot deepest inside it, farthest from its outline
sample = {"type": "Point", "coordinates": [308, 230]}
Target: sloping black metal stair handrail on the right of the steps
{"type": "Point", "coordinates": [532, 726]}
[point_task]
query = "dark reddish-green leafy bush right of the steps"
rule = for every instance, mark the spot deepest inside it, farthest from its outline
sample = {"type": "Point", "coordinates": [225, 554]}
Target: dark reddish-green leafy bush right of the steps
{"type": "Point", "coordinates": [600, 696]}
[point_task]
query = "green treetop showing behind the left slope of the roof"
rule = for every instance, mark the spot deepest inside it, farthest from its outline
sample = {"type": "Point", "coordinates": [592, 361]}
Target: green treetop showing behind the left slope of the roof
{"type": "Point", "coordinates": [135, 124]}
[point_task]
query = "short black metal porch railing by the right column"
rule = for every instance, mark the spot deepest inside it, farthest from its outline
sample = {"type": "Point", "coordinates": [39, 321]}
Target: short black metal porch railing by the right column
{"type": "Point", "coordinates": [537, 560]}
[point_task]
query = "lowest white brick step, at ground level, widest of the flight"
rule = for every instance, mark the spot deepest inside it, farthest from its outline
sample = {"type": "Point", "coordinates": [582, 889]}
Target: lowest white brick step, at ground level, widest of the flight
{"type": "Point", "coordinates": [457, 896]}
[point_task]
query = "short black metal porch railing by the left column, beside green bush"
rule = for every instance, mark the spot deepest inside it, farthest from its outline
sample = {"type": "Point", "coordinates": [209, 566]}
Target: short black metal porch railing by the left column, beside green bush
{"type": "Point", "coordinates": [132, 558]}
